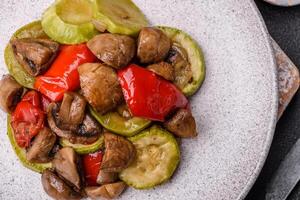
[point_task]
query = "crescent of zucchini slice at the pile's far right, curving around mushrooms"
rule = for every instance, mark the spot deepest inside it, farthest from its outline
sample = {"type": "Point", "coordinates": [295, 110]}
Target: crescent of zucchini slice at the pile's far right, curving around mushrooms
{"type": "Point", "coordinates": [195, 58]}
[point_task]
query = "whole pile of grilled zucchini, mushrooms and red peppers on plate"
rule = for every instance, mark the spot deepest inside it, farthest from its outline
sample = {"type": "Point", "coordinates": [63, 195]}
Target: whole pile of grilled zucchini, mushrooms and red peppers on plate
{"type": "Point", "coordinates": [97, 98]}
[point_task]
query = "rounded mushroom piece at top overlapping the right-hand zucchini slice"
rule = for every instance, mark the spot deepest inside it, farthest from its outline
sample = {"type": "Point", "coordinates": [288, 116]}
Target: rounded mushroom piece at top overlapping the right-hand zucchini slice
{"type": "Point", "coordinates": [153, 45]}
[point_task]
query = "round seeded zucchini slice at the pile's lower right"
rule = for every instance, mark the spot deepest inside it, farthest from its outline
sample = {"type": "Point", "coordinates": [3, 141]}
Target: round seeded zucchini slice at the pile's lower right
{"type": "Point", "coordinates": [157, 158]}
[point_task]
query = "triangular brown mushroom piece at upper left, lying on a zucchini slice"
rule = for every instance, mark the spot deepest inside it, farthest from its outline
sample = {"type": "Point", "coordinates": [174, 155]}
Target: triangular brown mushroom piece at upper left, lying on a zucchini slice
{"type": "Point", "coordinates": [35, 55]}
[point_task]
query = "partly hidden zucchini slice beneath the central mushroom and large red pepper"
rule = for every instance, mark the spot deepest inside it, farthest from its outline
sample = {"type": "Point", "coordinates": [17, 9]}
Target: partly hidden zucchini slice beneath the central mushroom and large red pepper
{"type": "Point", "coordinates": [115, 123]}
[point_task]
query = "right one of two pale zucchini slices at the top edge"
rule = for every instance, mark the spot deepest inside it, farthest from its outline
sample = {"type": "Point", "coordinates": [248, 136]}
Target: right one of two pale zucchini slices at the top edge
{"type": "Point", "coordinates": [122, 16]}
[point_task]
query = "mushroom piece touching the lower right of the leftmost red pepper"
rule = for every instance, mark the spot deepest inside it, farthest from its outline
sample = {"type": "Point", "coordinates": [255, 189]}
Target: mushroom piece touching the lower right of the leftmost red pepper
{"type": "Point", "coordinates": [41, 146]}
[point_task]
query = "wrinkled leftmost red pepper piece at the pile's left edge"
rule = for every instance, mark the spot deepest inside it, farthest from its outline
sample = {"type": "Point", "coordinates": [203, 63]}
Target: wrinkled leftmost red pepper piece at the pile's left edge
{"type": "Point", "coordinates": [27, 119]}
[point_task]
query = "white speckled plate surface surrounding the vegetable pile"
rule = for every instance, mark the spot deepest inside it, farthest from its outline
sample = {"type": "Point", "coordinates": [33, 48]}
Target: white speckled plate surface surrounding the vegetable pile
{"type": "Point", "coordinates": [236, 109]}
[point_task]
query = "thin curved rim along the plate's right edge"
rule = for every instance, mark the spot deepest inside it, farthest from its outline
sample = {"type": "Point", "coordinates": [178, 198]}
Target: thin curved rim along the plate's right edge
{"type": "Point", "coordinates": [270, 134]}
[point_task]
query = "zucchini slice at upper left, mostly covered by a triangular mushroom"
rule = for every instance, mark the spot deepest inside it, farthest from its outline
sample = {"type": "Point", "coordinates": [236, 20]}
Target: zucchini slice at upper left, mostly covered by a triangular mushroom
{"type": "Point", "coordinates": [32, 30]}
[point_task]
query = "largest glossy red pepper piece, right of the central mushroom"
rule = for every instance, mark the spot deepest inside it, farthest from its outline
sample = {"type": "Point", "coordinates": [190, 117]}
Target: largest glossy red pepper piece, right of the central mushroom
{"type": "Point", "coordinates": [148, 95]}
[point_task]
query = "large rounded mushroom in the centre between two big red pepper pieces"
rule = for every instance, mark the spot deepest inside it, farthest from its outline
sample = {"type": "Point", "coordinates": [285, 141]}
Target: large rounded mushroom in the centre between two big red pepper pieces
{"type": "Point", "coordinates": [100, 86]}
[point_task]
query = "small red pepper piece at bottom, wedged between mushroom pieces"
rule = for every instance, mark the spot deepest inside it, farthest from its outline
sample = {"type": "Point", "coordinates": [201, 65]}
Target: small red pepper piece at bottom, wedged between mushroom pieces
{"type": "Point", "coordinates": [91, 166]}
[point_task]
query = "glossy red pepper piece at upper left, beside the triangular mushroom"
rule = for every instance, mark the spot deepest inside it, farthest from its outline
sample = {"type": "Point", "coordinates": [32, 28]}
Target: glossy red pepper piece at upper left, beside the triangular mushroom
{"type": "Point", "coordinates": [63, 76]}
